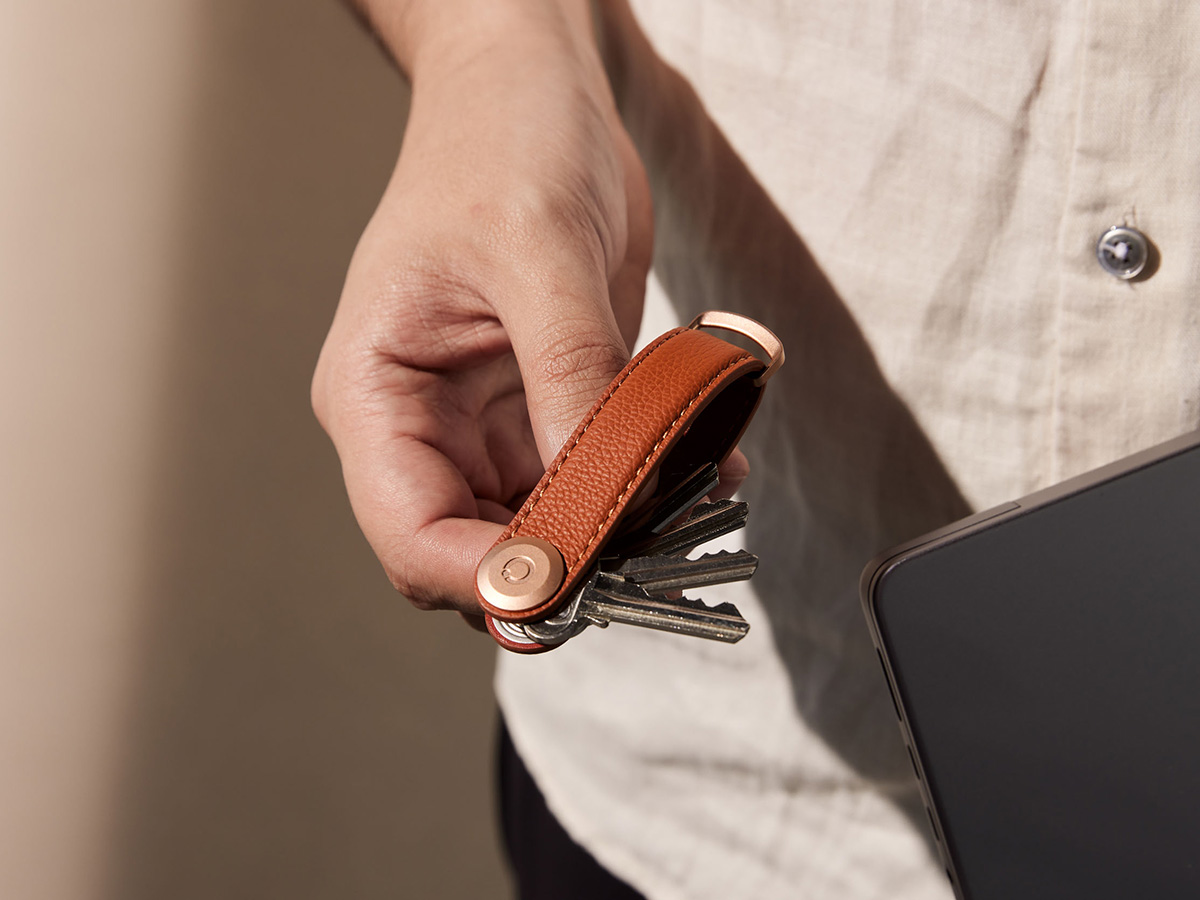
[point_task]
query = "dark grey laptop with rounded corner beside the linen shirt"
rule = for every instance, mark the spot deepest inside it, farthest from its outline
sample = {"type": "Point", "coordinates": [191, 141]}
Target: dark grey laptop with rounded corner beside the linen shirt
{"type": "Point", "coordinates": [1045, 661]}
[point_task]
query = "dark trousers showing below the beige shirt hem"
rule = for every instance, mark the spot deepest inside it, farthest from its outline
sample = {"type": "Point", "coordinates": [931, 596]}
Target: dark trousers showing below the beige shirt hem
{"type": "Point", "coordinates": [547, 863]}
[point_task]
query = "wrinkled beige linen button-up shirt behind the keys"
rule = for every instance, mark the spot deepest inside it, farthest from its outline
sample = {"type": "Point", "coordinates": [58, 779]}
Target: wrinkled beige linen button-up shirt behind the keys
{"type": "Point", "coordinates": [911, 197]}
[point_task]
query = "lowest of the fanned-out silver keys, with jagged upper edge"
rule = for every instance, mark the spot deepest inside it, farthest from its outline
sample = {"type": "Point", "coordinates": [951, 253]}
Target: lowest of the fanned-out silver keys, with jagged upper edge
{"type": "Point", "coordinates": [629, 605]}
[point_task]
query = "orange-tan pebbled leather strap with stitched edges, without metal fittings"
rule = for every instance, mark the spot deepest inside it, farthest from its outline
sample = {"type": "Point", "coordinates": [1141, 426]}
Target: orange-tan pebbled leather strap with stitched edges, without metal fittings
{"type": "Point", "coordinates": [682, 403]}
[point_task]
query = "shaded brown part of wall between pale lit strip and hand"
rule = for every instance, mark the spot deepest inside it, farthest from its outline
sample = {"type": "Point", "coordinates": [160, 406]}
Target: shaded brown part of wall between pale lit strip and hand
{"type": "Point", "coordinates": [299, 731]}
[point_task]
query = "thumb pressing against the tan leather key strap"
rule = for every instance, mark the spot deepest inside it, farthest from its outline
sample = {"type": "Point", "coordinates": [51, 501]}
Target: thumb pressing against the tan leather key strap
{"type": "Point", "coordinates": [567, 343]}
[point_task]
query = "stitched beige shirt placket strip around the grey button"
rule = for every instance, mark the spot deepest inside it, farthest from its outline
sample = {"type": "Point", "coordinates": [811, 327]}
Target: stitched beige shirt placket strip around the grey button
{"type": "Point", "coordinates": [1126, 350]}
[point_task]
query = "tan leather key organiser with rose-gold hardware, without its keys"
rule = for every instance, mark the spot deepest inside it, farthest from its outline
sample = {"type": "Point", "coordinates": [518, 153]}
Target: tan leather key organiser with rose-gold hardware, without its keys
{"type": "Point", "coordinates": [682, 404]}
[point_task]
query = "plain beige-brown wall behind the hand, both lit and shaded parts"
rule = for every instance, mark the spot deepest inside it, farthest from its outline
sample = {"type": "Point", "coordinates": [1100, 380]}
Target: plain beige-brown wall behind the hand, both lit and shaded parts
{"type": "Point", "coordinates": [207, 687]}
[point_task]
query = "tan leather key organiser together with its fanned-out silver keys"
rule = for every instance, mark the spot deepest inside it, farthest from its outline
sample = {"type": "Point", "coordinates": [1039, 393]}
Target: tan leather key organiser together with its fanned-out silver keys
{"type": "Point", "coordinates": [586, 550]}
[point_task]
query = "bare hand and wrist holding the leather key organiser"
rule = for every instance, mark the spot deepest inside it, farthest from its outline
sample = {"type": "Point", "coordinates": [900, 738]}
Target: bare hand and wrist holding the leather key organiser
{"type": "Point", "coordinates": [495, 293]}
